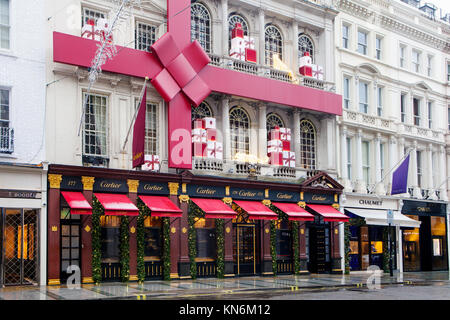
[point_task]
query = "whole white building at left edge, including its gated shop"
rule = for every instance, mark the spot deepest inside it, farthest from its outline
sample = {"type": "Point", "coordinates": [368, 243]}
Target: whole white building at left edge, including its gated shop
{"type": "Point", "coordinates": [23, 176]}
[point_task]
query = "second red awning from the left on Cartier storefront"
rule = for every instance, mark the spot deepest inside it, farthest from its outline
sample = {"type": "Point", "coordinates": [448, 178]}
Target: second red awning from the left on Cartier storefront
{"type": "Point", "coordinates": [117, 204]}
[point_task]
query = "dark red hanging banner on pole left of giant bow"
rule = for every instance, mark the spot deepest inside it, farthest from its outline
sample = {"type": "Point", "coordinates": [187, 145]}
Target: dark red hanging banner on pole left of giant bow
{"type": "Point", "coordinates": [139, 133]}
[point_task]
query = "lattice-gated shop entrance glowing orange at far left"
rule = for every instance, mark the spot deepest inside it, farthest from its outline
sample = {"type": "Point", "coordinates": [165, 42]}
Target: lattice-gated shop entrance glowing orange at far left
{"type": "Point", "coordinates": [19, 244]}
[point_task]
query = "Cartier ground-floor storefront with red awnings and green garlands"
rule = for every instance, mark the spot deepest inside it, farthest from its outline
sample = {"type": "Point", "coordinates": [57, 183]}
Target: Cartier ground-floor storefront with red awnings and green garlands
{"type": "Point", "coordinates": [132, 225]}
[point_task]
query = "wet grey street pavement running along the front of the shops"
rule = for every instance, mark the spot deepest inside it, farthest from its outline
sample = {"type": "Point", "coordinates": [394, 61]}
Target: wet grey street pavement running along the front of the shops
{"type": "Point", "coordinates": [431, 285]}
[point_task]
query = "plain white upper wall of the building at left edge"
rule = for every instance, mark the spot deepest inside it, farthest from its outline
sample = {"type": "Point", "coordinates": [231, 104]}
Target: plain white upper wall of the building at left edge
{"type": "Point", "coordinates": [22, 71]}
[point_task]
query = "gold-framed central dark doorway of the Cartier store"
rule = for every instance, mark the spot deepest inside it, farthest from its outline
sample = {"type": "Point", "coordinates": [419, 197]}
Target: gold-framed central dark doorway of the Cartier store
{"type": "Point", "coordinates": [245, 249]}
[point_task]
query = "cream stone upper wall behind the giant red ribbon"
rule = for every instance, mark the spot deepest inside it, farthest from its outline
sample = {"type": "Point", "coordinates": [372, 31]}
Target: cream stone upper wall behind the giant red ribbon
{"type": "Point", "coordinates": [64, 95]}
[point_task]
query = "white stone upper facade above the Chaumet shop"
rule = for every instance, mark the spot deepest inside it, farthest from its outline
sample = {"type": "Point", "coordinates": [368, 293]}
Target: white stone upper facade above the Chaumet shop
{"type": "Point", "coordinates": [397, 24]}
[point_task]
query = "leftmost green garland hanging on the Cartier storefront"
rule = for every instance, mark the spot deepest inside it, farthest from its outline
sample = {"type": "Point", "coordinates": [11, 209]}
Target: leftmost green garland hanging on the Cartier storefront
{"type": "Point", "coordinates": [96, 242]}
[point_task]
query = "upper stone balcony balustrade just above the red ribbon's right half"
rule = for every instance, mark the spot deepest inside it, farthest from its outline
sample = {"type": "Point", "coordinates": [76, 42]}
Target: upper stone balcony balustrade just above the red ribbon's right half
{"type": "Point", "coordinates": [268, 72]}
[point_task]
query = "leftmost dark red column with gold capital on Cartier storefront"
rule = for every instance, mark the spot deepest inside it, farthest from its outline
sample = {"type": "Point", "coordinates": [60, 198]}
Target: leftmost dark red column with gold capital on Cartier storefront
{"type": "Point", "coordinates": [54, 230]}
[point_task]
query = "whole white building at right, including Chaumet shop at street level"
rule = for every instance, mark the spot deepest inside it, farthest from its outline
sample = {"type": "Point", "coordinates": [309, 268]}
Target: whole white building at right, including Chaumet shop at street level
{"type": "Point", "coordinates": [392, 61]}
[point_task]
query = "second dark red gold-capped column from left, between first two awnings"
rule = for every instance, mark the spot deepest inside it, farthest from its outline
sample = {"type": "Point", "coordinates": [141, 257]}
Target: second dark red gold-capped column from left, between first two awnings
{"type": "Point", "coordinates": [86, 233]}
